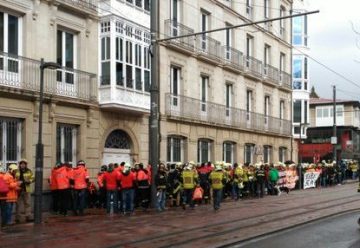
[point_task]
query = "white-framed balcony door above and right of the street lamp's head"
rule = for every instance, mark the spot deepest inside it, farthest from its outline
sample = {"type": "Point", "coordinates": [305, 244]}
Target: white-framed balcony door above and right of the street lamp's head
{"type": "Point", "coordinates": [66, 57]}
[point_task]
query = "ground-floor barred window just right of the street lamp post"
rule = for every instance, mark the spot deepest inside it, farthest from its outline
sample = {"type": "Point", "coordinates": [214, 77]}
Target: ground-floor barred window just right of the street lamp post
{"type": "Point", "coordinates": [66, 143]}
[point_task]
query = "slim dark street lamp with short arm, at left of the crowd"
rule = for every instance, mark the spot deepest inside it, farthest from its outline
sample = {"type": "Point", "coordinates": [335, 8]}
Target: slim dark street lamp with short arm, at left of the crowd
{"type": "Point", "coordinates": [39, 164]}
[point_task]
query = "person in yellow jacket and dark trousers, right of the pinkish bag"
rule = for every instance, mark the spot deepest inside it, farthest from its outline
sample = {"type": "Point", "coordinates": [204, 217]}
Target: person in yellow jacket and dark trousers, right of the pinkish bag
{"type": "Point", "coordinates": [217, 181]}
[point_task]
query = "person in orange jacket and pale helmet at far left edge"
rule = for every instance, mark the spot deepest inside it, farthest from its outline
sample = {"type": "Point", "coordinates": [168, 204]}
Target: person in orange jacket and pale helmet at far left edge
{"type": "Point", "coordinates": [9, 200]}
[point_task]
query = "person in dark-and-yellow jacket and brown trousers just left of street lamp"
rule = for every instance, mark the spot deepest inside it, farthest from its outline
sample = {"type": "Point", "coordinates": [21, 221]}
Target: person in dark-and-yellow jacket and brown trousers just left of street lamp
{"type": "Point", "coordinates": [26, 177]}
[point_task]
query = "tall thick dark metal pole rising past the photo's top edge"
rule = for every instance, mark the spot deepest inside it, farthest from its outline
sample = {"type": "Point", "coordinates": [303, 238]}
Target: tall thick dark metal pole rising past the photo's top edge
{"type": "Point", "coordinates": [154, 98]}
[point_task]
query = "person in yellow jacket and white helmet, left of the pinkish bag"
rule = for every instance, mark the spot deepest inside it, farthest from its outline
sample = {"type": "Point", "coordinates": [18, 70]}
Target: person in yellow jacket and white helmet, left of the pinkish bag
{"type": "Point", "coordinates": [189, 179]}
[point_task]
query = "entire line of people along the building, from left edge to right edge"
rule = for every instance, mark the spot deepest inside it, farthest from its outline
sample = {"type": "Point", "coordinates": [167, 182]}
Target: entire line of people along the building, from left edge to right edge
{"type": "Point", "coordinates": [120, 188]}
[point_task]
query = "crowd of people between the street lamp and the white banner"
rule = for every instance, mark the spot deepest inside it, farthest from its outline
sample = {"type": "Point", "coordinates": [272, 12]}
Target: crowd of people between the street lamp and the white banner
{"type": "Point", "coordinates": [120, 188]}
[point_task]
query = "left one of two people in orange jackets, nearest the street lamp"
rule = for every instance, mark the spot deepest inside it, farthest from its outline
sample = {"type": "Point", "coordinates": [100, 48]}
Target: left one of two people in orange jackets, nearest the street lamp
{"type": "Point", "coordinates": [62, 178]}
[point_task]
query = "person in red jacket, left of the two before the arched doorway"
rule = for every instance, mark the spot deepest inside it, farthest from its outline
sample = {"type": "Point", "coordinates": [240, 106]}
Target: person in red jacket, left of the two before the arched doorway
{"type": "Point", "coordinates": [111, 182]}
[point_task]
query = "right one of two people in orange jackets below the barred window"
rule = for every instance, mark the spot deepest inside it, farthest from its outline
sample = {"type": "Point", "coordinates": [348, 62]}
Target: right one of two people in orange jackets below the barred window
{"type": "Point", "coordinates": [80, 180]}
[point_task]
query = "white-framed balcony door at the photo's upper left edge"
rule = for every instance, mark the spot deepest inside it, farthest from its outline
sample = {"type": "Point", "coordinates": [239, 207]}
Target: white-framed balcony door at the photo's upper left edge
{"type": "Point", "coordinates": [10, 47]}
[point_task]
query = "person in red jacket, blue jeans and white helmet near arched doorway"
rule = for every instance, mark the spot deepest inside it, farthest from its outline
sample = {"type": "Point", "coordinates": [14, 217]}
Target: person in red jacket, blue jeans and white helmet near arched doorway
{"type": "Point", "coordinates": [127, 183]}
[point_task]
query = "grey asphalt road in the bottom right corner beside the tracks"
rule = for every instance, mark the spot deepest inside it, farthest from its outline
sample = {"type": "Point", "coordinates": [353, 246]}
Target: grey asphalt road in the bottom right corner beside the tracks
{"type": "Point", "coordinates": [340, 231]}
